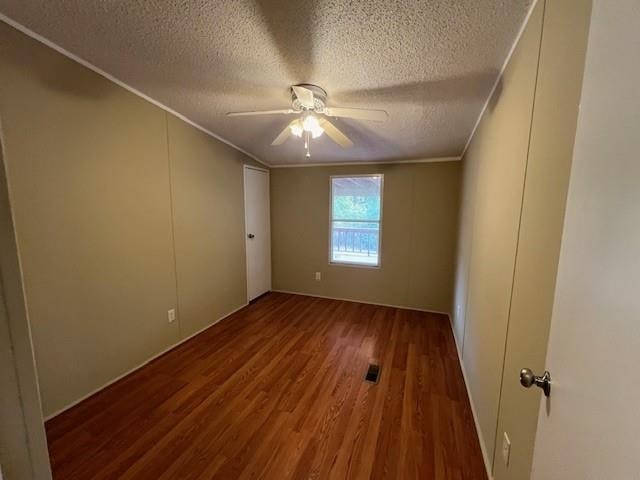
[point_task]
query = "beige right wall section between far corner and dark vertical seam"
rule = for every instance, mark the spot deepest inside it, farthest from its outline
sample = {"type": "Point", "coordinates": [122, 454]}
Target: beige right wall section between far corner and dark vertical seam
{"type": "Point", "coordinates": [494, 166]}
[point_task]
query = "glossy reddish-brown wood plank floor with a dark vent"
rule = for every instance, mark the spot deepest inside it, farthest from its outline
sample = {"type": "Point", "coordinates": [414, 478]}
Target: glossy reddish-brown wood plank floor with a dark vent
{"type": "Point", "coordinates": [276, 391]}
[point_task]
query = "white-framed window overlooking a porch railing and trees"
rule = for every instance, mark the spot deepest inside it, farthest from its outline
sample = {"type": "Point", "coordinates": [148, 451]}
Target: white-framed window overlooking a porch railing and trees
{"type": "Point", "coordinates": [356, 213]}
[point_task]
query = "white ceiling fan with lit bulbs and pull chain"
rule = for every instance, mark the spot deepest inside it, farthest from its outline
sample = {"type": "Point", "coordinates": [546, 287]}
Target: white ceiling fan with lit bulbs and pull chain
{"type": "Point", "coordinates": [308, 103]}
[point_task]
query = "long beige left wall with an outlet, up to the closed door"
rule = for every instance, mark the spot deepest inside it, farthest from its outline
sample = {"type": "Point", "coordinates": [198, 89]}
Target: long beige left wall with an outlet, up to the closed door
{"type": "Point", "coordinates": [91, 170]}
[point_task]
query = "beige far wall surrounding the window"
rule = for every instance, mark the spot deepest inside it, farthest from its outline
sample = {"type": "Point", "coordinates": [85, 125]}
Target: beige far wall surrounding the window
{"type": "Point", "coordinates": [420, 204]}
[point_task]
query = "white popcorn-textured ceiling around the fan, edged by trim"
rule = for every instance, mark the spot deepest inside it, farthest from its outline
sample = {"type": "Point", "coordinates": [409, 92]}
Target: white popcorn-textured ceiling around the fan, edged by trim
{"type": "Point", "coordinates": [429, 63]}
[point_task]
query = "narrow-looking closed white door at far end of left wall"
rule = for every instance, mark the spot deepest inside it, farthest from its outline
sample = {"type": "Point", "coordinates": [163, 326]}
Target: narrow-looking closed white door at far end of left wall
{"type": "Point", "coordinates": [258, 231]}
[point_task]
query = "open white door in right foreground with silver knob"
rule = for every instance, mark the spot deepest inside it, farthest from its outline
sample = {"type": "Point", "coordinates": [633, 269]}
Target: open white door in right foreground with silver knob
{"type": "Point", "coordinates": [590, 428]}
